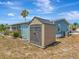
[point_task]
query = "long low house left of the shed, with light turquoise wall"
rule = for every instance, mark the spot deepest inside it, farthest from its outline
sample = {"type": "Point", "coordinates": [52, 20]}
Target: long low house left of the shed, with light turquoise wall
{"type": "Point", "coordinates": [23, 28]}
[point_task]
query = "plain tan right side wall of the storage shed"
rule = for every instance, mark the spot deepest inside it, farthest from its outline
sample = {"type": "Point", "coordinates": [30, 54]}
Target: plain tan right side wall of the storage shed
{"type": "Point", "coordinates": [50, 34]}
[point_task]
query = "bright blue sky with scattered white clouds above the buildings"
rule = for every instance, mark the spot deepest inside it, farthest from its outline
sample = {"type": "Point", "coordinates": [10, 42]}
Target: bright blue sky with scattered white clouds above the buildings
{"type": "Point", "coordinates": [49, 9]}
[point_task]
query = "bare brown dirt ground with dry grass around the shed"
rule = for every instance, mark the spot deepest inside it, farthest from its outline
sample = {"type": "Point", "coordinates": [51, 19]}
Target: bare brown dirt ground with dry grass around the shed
{"type": "Point", "coordinates": [65, 48]}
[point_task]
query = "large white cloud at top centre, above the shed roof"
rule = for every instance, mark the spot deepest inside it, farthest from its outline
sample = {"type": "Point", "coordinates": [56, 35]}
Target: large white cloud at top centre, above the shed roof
{"type": "Point", "coordinates": [44, 6]}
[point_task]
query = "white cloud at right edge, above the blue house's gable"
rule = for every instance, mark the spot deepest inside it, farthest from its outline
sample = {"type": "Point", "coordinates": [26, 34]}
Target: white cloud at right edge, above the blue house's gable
{"type": "Point", "coordinates": [70, 15]}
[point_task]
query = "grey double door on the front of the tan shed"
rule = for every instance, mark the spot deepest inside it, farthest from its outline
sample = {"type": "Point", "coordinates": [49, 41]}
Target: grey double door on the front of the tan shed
{"type": "Point", "coordinates": [35, 34]}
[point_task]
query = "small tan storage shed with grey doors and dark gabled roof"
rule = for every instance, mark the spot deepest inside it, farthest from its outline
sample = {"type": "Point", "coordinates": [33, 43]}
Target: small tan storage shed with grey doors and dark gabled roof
{"type": "Point", "coordinates": [42, 32]}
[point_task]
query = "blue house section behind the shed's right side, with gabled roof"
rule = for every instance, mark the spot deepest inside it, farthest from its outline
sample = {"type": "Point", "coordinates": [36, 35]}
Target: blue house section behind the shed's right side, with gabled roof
{"type": "Point", "coordinates": [62, 27]}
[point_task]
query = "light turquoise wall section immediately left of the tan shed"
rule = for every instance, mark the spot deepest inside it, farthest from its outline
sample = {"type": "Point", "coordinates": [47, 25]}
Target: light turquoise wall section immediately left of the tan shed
{"type": "Point", "coordinates": [24, 32]}
